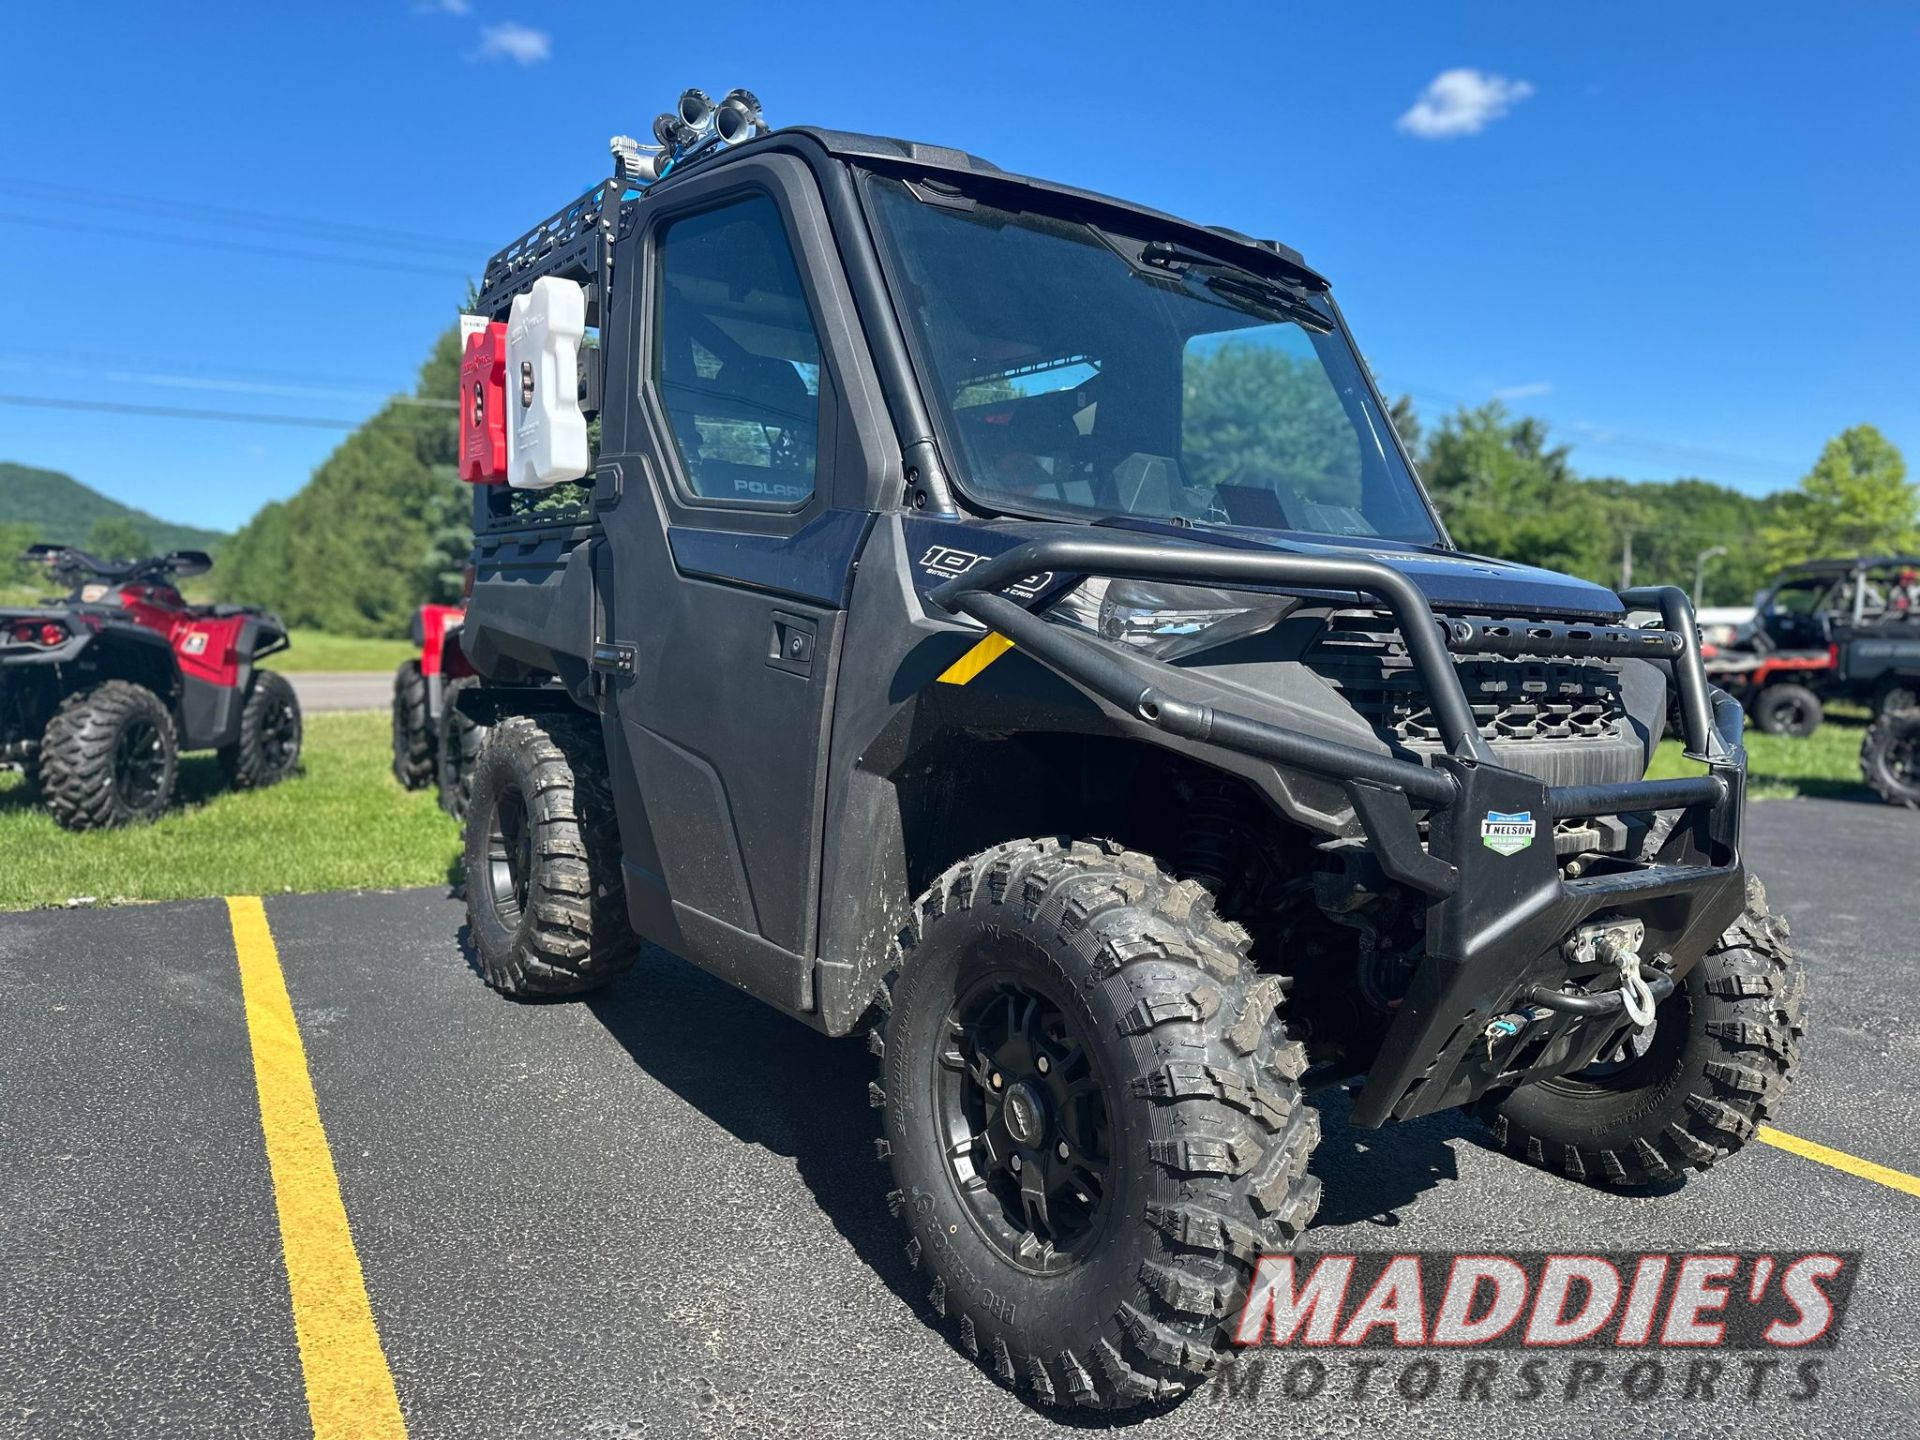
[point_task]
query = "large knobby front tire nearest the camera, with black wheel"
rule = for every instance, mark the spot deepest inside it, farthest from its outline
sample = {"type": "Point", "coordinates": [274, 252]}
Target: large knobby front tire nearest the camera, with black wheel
{"type": "Point", "coordinates": [1205, 1145]}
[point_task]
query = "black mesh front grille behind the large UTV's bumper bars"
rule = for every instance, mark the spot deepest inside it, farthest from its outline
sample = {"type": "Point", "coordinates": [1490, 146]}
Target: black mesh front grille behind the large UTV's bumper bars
{"type": "Point", "coordinates": [1522, 700]}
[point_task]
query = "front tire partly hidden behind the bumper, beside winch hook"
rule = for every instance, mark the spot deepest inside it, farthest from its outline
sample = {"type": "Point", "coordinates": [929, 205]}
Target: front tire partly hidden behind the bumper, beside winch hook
{"type": "Point", "coordinates": [1723, 1053]}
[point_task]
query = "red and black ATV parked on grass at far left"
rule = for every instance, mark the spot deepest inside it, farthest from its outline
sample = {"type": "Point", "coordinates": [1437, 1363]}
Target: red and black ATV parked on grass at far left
{"type": "Point", "coordinates": [103, 690]}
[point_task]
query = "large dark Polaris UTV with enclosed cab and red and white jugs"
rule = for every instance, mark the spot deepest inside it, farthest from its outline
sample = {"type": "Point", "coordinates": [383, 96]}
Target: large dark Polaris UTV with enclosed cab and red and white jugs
{"type": "Point", "coordinates": [1001, 619]}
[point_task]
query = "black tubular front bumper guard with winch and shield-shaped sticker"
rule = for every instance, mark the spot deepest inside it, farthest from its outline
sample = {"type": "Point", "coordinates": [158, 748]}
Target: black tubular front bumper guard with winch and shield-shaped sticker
{"type": "Point", "coordinates": [1499, 917]}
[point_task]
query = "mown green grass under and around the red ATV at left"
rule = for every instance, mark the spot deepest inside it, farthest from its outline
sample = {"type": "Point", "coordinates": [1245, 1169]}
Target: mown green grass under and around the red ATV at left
{"type": "Point", "coordinates": [339, 825]}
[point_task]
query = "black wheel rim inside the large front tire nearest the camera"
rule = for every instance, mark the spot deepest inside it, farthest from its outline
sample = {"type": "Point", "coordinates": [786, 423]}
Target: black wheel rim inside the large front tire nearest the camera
{"type": "Point", "coordinates": [1024, 1124]}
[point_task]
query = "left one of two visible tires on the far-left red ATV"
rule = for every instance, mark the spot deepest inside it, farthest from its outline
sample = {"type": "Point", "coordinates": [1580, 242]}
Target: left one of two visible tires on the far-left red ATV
{"type": "Point", "coordinates": [108, 757]}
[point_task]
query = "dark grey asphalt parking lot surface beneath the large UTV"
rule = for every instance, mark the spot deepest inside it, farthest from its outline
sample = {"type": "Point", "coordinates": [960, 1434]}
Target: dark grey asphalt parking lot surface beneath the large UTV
{"type": "Point", "coordinates": [658, 1212]}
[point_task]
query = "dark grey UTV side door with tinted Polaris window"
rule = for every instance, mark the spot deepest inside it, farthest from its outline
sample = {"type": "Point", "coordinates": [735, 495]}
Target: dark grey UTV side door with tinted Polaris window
{"type": "Point", "coordinates": [746, 481]}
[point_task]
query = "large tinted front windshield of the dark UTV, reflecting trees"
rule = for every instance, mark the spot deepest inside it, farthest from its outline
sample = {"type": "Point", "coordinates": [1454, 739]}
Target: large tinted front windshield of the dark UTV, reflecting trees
{"type": "Point", "coordinates": [1088, 372]}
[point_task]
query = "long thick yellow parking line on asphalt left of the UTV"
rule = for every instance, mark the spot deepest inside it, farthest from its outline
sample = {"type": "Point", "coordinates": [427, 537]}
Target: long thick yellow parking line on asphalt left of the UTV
{"type": "Point", "coordinates": [350, 1391]}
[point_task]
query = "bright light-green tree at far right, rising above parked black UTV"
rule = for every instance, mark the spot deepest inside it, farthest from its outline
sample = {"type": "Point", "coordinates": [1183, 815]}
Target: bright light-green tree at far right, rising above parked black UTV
{"type": "Point", "coordinates": [1856, 500]}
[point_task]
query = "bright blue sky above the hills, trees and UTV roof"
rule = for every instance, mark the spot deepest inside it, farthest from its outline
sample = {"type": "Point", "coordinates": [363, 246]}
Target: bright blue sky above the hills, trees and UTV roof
{"type": "Point", "coordinates": [1685, 235]}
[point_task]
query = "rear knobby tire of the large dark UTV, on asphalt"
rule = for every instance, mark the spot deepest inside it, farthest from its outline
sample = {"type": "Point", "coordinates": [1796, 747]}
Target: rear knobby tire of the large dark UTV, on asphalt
{"type": "Point", "coordinates": [546, 903]}
